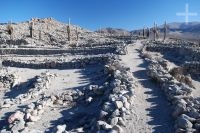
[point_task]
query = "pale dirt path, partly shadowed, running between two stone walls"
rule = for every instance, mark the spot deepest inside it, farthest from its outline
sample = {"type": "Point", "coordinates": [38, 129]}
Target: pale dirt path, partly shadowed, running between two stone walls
{"type": "Point", "coordinates": [151, 111]}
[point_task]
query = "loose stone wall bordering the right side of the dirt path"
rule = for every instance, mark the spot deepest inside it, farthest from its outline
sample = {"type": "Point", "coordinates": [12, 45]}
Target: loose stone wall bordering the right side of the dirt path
{"type": "Point", "coordinates": [185, 106]}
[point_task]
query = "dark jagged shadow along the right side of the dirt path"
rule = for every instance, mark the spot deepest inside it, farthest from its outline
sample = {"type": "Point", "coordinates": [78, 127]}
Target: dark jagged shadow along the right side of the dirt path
{"type": "Point", "coordinates": [160, 112]}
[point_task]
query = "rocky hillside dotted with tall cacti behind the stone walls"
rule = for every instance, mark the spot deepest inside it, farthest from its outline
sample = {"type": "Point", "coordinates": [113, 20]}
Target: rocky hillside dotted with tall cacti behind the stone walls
{"type": "Point", "coordinates": [46, 32]}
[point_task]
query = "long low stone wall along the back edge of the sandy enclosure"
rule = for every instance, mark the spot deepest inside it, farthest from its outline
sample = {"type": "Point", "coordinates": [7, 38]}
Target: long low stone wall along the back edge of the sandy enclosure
{"type": "Point", "coordinates": [78, 63]}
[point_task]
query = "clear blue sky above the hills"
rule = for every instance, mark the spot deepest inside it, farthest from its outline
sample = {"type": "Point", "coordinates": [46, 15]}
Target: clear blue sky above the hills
{"type": "Point", "coordinates": [93, 14]}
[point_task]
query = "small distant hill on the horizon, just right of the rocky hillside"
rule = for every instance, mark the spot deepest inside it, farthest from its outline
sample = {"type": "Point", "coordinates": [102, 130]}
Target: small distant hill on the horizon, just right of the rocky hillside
{"type": "Point", "coordinates": [114, 31]}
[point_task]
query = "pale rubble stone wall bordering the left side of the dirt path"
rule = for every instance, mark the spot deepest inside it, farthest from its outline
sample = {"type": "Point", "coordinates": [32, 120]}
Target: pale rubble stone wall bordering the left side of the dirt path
{"type": "Point", "coordinates": [113, 98]}
